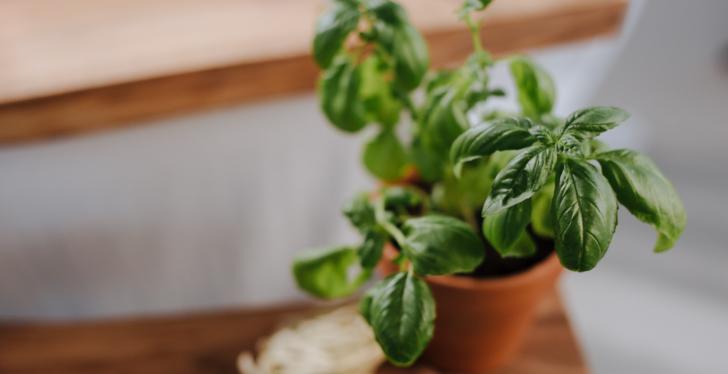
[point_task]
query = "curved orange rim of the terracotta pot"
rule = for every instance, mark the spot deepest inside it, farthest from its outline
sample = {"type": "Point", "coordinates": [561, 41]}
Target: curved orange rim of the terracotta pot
{"type": "Point", "coordinates": [549, 265]}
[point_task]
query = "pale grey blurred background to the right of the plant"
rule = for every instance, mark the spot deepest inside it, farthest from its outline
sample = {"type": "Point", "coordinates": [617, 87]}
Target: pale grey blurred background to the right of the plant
{"type": "Point", "coordinates": [641, 312]}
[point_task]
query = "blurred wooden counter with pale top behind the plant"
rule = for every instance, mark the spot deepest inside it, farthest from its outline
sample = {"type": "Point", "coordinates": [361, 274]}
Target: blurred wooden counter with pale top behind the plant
{"type": "Point", "coordinates": [74, 66]}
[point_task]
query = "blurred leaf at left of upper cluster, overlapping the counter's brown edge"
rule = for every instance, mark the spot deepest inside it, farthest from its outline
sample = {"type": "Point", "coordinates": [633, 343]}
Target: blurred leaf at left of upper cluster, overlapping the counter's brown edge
{"type": "Point", "coordinates": [339, 92]}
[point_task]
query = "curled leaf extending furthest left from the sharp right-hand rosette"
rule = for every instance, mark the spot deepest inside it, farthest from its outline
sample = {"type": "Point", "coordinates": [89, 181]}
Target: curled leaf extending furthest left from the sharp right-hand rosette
{"type": "Point", "coordinates": [487, 138]}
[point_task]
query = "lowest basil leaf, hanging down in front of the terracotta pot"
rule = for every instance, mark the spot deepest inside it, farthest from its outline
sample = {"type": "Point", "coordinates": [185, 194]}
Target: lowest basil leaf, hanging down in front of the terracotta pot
{"type": "Point", "coordinates": [401, 311]}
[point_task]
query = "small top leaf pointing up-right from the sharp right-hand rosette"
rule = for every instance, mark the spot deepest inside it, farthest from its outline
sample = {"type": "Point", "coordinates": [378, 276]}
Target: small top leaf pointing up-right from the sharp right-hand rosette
{"type": "Point", "coordinates": [589, 122]}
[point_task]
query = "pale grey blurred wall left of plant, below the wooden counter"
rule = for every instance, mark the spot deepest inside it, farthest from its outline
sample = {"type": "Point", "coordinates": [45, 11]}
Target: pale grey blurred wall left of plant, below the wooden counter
{"type": "Point", "coordinates": [189, 213]}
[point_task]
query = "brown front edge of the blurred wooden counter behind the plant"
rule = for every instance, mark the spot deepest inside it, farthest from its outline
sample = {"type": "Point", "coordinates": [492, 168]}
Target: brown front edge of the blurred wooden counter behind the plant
{"type": "Point", "coordinates": [135, 102]}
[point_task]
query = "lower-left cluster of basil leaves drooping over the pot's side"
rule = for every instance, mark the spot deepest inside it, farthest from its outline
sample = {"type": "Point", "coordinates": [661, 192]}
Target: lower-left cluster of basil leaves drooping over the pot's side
{"type": "Point", "coordinates": [400, 308]}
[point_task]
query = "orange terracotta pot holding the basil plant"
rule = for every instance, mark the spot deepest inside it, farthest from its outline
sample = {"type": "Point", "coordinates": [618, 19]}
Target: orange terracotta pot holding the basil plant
{"type": "Point", "coordinates": [481, 323]}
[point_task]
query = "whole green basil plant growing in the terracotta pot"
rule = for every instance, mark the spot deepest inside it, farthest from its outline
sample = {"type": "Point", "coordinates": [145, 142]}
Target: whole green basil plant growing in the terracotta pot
{"type": "Point", "coordinates": [488, 183]}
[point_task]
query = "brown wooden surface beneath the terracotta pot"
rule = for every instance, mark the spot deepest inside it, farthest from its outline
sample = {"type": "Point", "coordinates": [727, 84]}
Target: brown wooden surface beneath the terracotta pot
{"type": "Point", "coordinates": [210, 342]}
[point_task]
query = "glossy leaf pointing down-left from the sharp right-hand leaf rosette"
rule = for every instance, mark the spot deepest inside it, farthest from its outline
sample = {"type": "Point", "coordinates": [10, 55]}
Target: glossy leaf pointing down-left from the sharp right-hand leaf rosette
{"type": "Point", "coordinates": [521, 178]}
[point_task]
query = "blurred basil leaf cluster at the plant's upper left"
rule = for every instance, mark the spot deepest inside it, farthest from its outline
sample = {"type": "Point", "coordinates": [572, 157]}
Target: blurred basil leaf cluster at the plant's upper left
{"type": "Point", "coordinates": [372, 58]}
